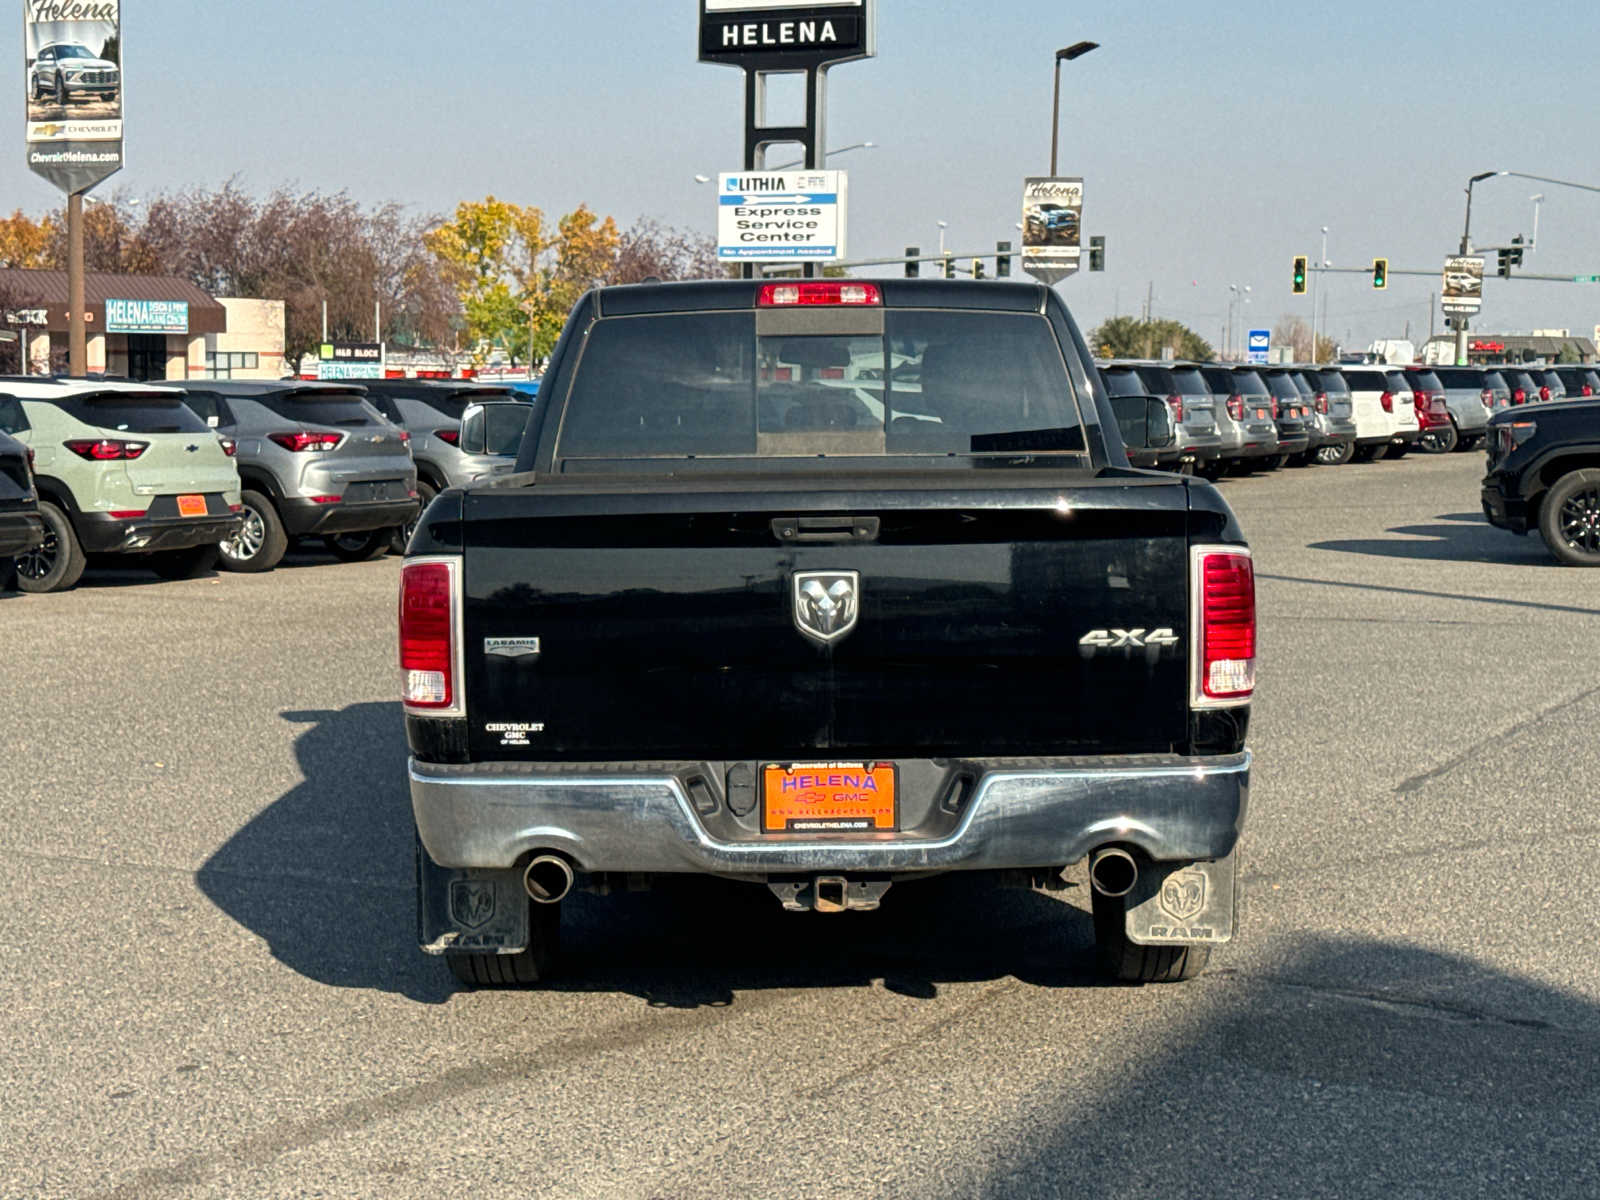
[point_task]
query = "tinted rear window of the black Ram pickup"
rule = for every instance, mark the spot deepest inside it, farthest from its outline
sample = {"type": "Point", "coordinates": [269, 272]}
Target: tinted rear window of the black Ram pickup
{"type": "Point", "coordinates": [706, 386]}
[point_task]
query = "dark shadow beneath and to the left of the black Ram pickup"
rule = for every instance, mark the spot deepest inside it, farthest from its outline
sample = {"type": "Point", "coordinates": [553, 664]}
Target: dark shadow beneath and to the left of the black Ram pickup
{"type": "Point", "coordinates": [326, 878]}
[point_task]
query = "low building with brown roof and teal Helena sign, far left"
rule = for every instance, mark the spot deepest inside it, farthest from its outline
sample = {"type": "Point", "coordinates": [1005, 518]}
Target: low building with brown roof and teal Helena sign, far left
{"type": "Point", "coordinates": [142, 327]}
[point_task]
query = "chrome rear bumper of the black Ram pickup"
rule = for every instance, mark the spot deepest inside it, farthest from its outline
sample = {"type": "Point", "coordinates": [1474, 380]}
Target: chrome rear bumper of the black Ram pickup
{"type": "Point", "coordinates": [641, 820]}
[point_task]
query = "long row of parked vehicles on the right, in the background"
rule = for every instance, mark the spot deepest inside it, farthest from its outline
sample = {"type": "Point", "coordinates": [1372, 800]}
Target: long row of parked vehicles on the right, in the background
{"type": "Point", "coordinates": [1233, 418]}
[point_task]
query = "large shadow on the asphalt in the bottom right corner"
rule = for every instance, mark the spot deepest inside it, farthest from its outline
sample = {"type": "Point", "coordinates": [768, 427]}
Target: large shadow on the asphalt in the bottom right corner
{"type": "Point", "coordinates": [1350, 1068]}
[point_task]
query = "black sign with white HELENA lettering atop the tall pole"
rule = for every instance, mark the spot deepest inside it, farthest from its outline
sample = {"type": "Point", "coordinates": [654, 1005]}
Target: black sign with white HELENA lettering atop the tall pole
{"type": "Point", "coordinates": [788, 34]}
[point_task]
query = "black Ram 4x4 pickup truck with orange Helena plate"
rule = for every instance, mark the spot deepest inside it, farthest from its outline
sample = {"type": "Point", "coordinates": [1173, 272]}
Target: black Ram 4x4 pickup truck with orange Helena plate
{"type": "Point", "coordinates": [825, 586]}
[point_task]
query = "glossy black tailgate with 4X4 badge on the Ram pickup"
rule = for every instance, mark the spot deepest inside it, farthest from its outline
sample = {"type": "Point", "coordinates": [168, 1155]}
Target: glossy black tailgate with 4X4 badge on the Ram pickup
{"type": "Point", "coordinates": [666, 622]}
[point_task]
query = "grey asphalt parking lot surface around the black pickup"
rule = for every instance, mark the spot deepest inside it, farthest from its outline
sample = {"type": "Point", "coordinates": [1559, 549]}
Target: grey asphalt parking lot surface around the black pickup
{"type": "Point", "coordinates": [214, 988]}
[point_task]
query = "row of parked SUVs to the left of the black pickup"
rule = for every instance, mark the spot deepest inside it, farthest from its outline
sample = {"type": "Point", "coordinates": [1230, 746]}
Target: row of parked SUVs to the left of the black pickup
{"type": "Point", "coordinates": [202, 474]}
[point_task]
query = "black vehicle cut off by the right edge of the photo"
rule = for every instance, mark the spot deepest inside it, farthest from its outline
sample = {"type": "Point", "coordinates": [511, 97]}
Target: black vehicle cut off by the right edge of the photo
{"type": "Point", "coordinates": [1545, 474]}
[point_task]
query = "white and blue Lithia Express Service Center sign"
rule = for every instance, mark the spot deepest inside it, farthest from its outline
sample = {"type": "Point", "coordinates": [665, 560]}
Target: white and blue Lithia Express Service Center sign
{"type": "Point", "coordinates": [782, 217]}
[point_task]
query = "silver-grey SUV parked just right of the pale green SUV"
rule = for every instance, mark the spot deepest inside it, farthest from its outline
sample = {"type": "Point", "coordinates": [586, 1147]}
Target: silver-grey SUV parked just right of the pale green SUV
{"type": "Point", "coordinates": [316, 460]}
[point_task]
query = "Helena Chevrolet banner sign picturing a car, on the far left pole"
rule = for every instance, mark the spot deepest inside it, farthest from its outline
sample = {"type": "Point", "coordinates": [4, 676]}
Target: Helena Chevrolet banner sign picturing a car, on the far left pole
{"type": "Point", "coordinates": [74, 90]}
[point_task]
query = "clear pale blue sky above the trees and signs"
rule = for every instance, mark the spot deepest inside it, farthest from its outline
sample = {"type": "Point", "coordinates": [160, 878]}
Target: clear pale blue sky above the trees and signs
{"type": "Point", "coordinates": [1215, 143]}
